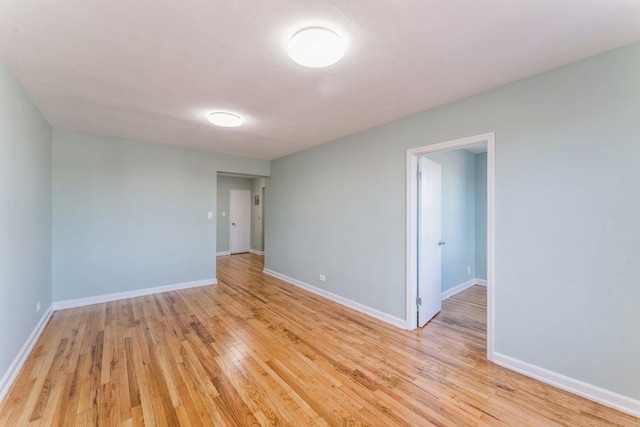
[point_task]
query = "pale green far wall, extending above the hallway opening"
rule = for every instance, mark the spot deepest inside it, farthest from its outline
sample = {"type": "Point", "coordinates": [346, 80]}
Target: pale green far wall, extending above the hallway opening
{"type": "Point", "coordinates": [130, 215]}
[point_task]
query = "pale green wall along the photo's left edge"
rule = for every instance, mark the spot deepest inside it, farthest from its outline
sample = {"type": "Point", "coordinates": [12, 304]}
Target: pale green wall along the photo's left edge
{"type": "Point", "coordinates": [25, 217]}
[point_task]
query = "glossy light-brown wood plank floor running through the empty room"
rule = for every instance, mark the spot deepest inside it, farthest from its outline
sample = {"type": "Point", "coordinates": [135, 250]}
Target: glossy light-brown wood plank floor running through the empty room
{"type": "Point", "coordinates": [253, 350]}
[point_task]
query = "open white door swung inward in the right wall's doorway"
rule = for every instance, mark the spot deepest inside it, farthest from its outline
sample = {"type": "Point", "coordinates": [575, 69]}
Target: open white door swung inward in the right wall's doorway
{"type": "Point", "coordinates": [429, 240]}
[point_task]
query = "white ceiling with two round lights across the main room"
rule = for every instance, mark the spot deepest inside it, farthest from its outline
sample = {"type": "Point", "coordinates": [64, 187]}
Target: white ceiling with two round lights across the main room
{"type": "Point", "coordinates": [152, 69]}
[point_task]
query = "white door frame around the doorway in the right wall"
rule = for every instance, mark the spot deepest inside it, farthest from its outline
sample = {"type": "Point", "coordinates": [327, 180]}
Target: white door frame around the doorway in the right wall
{"type": "Point", "coordinates": [412, 226]}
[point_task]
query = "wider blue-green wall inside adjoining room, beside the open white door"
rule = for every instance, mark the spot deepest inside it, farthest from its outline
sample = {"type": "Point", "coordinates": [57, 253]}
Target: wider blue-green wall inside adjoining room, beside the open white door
{"type": "Point", "coordinates": [458, 169]}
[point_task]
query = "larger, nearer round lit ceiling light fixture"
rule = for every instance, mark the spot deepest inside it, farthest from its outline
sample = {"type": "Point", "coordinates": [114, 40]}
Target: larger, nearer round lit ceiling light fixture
{"type": "Point", "coordinates": [316, 47]}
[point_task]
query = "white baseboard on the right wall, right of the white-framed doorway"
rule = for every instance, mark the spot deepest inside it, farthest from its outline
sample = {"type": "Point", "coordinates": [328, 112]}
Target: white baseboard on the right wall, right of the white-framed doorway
{"type": "Point", "coordinates": [589, 391]}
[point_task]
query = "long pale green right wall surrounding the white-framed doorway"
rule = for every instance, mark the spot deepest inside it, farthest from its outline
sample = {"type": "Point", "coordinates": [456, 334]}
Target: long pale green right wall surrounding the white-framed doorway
{"type": "Point", "coordinates": [567, 209]}
